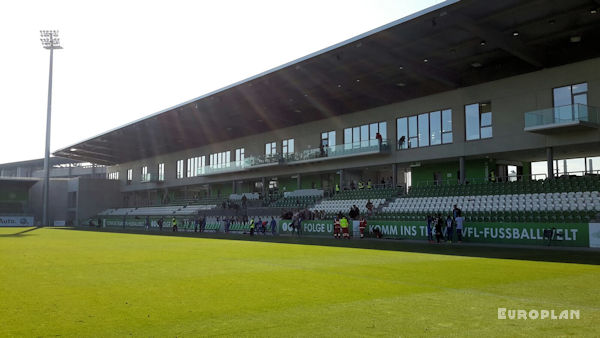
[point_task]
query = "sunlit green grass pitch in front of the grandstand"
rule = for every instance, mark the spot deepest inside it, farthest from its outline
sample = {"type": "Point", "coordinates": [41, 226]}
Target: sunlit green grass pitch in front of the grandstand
{"type": "Point", "coordinates": [57, 282]}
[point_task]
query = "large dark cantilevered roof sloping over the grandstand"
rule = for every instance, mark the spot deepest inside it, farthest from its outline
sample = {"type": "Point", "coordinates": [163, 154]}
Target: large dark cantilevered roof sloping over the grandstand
{"type": "Point", "coordinates": [451, 45]}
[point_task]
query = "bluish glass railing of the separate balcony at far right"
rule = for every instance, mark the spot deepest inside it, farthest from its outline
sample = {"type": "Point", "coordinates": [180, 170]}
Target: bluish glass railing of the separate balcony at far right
{"type": "Point", "coordinates": [561, 115]}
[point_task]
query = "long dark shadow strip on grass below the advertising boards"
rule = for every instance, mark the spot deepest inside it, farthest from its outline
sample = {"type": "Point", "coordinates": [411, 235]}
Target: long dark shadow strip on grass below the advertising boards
{"type": "Point", "coordinates": [541, 253]}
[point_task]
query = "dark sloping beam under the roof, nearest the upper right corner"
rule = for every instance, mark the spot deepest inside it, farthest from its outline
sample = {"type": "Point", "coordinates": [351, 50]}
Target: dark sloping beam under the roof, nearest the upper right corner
{"type": "Point", "coordinates": [511, 46]}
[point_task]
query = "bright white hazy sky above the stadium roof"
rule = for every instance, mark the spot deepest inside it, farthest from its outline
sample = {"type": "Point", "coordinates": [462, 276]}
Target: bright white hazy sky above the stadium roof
{"type": "Point", "coordinates": [124, 60]}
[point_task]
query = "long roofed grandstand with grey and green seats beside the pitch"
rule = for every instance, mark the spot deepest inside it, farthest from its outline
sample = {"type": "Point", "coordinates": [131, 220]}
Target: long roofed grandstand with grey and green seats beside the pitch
{"type": "Point", "coordinates": [489, 106]}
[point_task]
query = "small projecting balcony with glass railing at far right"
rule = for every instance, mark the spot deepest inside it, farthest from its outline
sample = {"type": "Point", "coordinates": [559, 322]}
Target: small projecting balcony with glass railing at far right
{"type": "Point", "coordinates": [560, 119]}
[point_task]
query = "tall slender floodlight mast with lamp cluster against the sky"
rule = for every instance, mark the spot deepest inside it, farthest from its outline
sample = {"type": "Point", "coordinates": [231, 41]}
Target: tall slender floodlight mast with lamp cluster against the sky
{"type": "Point", "coordinates": [50, 41]}
